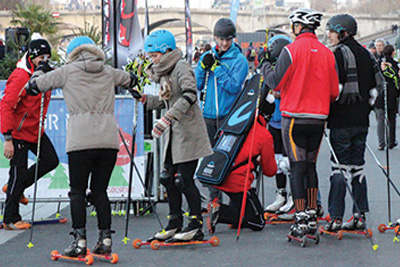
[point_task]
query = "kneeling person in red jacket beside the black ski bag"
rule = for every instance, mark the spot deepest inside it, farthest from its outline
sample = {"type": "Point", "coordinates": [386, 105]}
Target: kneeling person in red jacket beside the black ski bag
{"type": "Point", "coordinates": [263, 150]}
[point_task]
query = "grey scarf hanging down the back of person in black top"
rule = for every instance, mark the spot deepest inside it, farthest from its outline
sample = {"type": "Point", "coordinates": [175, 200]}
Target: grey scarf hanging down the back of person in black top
{"type": "Point", "coordinates": [350, 94]}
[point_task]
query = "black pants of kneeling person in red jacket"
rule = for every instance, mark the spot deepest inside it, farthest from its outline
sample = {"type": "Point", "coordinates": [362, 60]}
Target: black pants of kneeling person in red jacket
{"type": "Point", "coordinates": [253, 216]}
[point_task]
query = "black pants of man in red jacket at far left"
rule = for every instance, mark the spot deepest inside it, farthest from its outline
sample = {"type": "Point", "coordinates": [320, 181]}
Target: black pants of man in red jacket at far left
{"type": "Point", "coordinates": [22, 177]}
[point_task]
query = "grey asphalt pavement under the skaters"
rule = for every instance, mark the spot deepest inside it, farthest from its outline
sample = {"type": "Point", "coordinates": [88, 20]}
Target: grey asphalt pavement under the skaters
{"type": "Point", "coordinates": [266, 248]}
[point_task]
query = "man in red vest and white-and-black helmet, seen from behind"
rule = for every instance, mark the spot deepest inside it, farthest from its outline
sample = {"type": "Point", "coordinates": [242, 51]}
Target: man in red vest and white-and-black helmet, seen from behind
{"type": "Point", "coordinates": [306, 76]}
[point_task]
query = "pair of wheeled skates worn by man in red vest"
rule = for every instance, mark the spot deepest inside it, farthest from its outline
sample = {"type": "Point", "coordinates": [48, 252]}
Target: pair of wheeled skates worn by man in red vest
{"type": "Point", "coordinates": [300, 230]}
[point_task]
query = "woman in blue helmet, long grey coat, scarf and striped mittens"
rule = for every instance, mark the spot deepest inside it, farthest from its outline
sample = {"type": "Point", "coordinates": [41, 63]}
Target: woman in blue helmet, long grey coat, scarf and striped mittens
{"type": "Point", "coordinates": [183, 130]}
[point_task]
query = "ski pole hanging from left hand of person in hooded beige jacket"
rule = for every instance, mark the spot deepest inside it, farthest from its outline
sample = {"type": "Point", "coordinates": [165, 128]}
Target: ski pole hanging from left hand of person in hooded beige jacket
{"type": "Point", "coordinates": [30, 244]}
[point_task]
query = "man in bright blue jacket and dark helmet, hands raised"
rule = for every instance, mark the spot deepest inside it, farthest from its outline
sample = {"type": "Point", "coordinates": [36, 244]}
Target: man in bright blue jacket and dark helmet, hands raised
{"type": "Point", "coordinates": [220, 76]}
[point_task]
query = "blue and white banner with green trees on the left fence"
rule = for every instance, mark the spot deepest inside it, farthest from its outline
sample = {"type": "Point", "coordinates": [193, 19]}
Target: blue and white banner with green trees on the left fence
{"type": "Point", "coordinates": [55, 185]}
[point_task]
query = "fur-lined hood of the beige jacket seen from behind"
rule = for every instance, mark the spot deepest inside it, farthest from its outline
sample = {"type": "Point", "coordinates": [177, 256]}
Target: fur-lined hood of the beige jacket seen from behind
{"type": "Point", "coordinates": [88, 58]}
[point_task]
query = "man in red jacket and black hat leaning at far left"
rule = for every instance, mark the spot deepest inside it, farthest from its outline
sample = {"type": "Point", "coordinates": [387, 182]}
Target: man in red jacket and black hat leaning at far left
{"type": "Point", "coordinates": [20, 114]}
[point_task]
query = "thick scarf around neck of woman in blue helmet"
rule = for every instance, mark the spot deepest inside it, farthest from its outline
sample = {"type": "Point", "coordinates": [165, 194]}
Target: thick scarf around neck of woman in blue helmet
{"type": "Point", "coordinates": [159, 73]}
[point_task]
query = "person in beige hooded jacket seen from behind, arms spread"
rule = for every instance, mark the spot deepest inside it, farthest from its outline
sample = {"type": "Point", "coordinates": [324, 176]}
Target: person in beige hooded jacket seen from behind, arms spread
{"type": "Point", "coordinates": [92, 142]}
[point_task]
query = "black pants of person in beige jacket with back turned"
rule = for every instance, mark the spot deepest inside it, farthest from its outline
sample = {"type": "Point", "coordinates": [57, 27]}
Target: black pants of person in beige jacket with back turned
{"type": "Point", "coordinates": [98, 164]}
